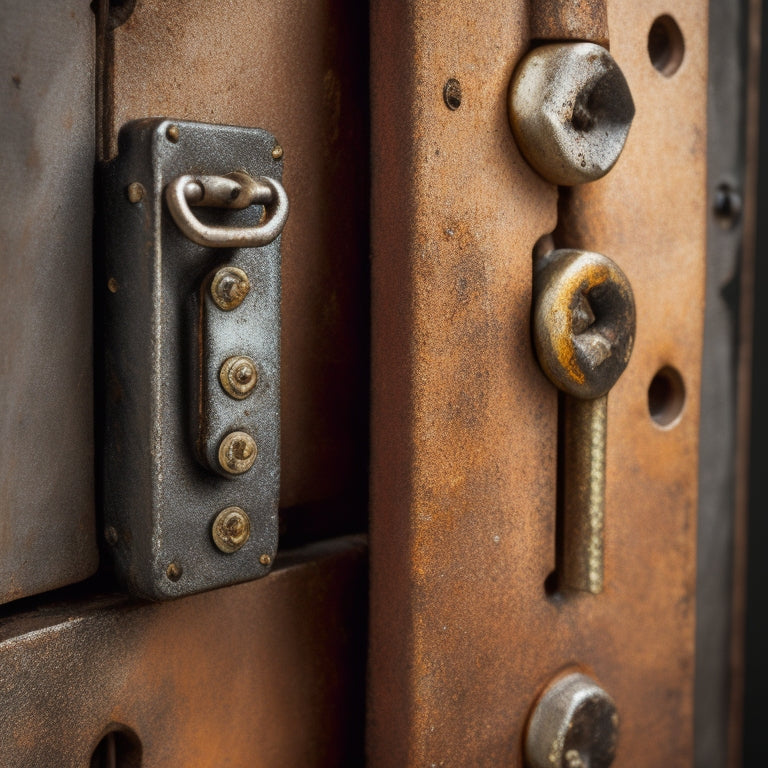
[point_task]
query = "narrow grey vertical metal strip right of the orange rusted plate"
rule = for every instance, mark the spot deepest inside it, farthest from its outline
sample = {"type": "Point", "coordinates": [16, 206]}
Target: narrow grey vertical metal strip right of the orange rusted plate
{"type": "Point", "coordinates": [722, 459]}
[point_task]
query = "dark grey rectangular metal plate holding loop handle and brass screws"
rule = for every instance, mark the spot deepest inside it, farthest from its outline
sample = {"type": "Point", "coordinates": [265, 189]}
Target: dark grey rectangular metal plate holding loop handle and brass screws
{"type": "Point", "coordinates": [159, 499]}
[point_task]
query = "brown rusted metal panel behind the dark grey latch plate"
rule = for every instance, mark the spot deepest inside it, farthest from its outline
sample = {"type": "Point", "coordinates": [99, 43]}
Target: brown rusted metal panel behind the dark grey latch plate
{"type": "Point", "coordinates": [295, 69]}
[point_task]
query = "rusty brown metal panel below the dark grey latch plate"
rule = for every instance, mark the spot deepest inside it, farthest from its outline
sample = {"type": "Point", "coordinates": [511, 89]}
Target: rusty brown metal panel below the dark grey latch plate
{"type": "Point", "coordinates": [265, 673]}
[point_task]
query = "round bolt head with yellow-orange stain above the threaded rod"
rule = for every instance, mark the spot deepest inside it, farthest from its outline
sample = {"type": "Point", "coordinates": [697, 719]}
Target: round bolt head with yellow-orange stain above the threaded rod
{"type": "Point", "coordinates": [583, 321]}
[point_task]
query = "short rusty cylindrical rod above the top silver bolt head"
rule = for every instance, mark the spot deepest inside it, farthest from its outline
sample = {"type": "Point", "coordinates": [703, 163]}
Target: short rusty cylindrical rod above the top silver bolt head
{"type": "Point", "coordinates": [570, 20]}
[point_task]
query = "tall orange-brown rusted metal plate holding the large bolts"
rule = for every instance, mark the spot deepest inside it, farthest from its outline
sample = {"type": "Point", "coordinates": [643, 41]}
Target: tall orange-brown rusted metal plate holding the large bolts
{"type": "Point", "coordinates": [464, 637]}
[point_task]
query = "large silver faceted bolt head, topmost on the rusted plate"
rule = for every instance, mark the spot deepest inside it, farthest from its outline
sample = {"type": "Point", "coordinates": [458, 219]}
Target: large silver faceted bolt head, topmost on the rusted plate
{"type": "Point", "coordinates": [570, 109]}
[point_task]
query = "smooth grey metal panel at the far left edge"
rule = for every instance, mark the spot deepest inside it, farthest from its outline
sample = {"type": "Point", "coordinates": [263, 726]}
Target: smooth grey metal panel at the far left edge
{"type": "Point", "coordinates": [47, 532]}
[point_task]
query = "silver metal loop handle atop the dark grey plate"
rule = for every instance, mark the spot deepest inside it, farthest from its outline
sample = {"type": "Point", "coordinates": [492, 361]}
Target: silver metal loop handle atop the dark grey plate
{"type": "Point", "coordinates": [187, 189]}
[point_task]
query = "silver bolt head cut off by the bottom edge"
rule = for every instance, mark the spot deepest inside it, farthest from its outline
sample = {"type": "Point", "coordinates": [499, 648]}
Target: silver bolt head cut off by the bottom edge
{"type": "Point", "coordinates": [573, 725]}
